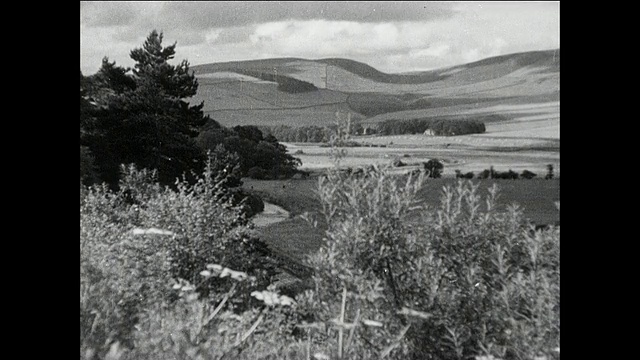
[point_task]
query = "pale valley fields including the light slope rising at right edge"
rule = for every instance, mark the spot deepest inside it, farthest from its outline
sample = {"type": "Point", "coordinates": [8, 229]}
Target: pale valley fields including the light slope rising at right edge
{"type": "Point", "coordinates": [529, 140]}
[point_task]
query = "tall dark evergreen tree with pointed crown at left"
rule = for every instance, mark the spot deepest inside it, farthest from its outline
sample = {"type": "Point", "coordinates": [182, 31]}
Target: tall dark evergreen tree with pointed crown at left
{"type": "Point", "coordinates": [144, 118]}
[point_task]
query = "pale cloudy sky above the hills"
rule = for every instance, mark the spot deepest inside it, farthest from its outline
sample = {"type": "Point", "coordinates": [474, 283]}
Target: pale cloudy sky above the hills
{"type": "Point", "coordinates": [391, 36]}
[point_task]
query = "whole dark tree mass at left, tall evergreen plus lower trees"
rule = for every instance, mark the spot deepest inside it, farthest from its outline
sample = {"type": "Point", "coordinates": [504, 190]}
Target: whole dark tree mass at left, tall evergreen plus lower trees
{"type": "Point", "coordinates": [142, 116]}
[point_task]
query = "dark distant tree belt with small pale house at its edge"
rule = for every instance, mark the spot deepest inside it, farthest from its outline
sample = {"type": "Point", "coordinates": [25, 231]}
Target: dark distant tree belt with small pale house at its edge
{"type": "Point", "coordinates": [439, 127]}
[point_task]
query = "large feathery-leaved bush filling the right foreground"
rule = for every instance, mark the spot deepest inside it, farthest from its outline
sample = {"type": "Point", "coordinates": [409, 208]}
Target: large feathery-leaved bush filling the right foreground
{"type": "Point", "coordinates": [461, 283]}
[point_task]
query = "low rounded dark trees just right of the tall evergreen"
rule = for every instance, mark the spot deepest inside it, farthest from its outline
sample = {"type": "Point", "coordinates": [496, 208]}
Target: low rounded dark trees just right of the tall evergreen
{"type": "Point", "coordinates": [260, 156]}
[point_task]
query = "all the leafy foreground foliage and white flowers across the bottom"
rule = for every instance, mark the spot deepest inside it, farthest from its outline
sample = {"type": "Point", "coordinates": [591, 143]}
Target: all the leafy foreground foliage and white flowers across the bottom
{"type": "Point", "coordinates": [461, 283]}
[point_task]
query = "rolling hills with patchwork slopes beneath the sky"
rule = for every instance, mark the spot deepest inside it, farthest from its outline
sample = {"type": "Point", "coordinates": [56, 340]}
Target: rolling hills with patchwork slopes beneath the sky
{"type": "Point", "coordinates": [499, 84]}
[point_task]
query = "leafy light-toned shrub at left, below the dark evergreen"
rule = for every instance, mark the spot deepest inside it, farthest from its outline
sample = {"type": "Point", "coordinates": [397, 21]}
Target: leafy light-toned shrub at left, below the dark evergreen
{"type": "Point", "coordinates": [132, 252]}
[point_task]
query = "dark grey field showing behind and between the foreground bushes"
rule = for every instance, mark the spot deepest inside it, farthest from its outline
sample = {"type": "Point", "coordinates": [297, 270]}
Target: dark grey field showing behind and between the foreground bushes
{"type": "Point", "coordinates": [295, 238]}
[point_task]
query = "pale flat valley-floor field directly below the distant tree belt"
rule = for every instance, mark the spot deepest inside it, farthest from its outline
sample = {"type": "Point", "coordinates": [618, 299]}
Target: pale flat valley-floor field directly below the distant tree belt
{"type": "Point", "coordinates": [465, 153]}
